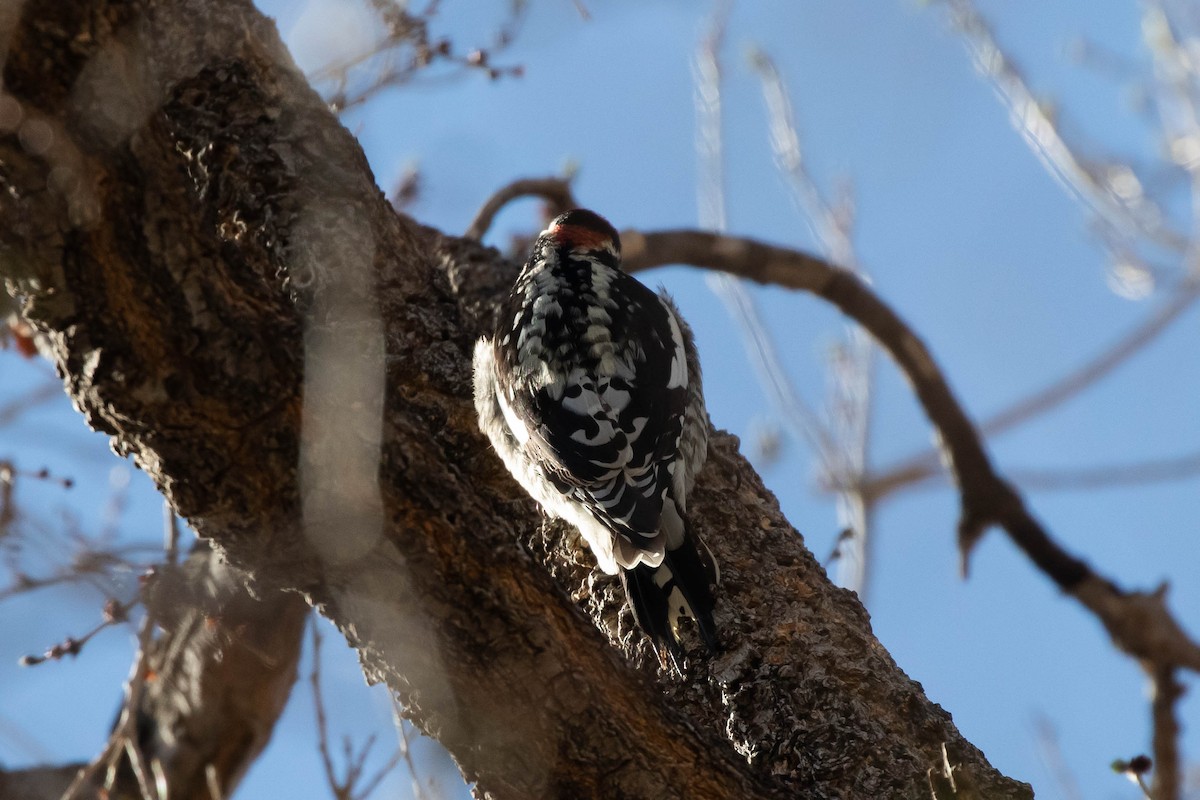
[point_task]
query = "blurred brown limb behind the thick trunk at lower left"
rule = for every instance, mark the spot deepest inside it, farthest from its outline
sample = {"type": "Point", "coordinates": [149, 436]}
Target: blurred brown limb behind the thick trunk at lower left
{"type": "Point", "coordinates": [203, 695]}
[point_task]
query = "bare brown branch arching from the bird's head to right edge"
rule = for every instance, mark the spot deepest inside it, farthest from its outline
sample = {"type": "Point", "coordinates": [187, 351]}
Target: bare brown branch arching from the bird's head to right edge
{"type": "Point", "coordinates": [1138, 623]}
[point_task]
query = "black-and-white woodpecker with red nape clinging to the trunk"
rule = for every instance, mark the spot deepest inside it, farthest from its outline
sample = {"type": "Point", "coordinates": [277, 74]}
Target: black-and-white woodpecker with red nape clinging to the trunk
{"type": "Point", "coordinates": [590, 392]}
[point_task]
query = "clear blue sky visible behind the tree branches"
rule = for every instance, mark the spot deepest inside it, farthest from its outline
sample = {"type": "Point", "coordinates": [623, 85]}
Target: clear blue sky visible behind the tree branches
{"type": "Point", "coordinates": [963, 232]}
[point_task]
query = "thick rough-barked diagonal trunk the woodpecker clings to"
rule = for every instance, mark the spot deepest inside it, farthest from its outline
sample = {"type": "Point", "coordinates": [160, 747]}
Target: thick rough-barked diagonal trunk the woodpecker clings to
{"type": "Point", "coordinates": [230, 297]}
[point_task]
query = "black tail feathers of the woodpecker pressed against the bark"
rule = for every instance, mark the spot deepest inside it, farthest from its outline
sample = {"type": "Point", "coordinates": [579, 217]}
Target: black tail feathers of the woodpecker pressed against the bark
{"type": "Point", "coordinates": [662, 597]}
